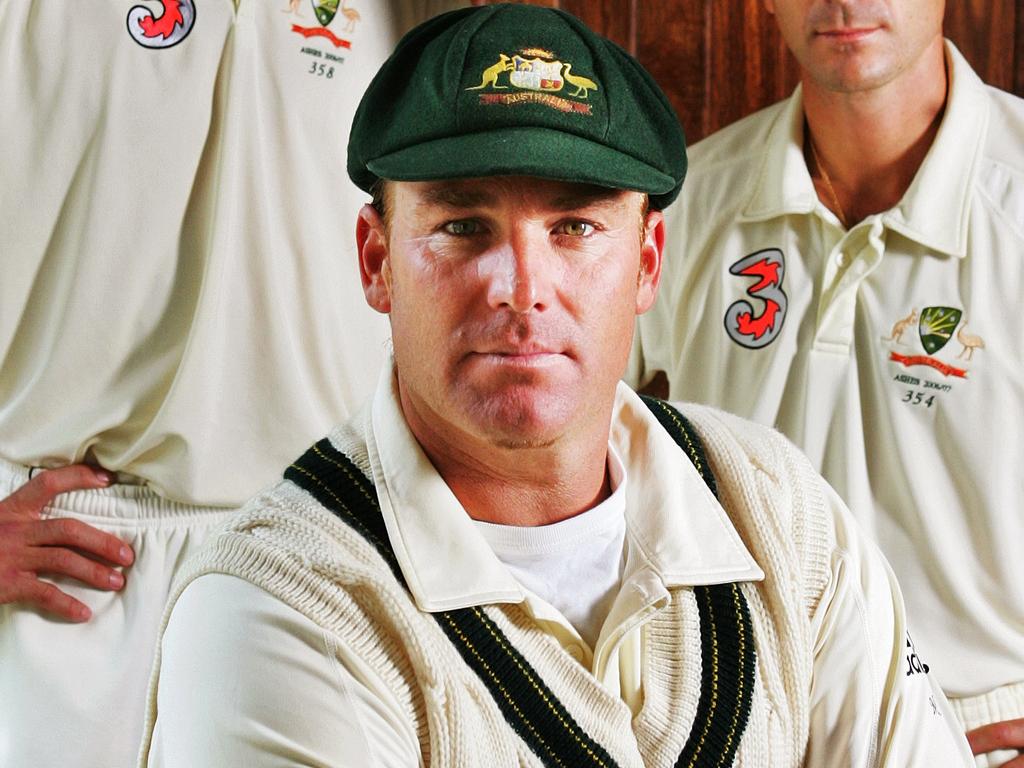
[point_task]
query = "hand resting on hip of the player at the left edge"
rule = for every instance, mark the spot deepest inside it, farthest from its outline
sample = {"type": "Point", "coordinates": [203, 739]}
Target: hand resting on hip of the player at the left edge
{"type": "Point", "coordinates": [31, 546]}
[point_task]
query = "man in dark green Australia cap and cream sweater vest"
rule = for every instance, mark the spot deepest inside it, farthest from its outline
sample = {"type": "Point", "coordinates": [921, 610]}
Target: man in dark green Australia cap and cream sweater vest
{"type": "Point", "coordinates": [507, 558]}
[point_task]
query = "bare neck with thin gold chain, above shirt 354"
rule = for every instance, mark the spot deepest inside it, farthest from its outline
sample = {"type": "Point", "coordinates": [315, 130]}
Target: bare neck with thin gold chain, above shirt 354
{"type": "Point", "coordinates": [870, 145]}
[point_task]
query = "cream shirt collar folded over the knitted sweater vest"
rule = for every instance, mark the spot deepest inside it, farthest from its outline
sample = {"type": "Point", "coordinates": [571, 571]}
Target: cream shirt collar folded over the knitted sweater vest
{"type": "Point", "coordinates": [679, 528]}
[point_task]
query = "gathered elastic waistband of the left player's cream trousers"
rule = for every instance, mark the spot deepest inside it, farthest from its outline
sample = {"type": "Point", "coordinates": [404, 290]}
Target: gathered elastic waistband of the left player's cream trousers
{"type": "Point", "coordinates": [117, 502]}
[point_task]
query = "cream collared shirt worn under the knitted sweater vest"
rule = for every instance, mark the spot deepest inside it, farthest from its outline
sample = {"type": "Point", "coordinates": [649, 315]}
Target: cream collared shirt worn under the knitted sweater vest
{"type": "Point", "coordinates": [337, 713]}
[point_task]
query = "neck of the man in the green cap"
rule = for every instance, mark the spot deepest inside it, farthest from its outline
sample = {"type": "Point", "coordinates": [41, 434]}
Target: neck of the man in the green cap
{"type": "Point", "coordinates": [523, 485]}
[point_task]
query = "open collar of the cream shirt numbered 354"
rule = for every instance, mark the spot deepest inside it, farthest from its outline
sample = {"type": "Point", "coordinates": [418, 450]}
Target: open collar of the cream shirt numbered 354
{"type": "Point", "coordinates": [935, 209]}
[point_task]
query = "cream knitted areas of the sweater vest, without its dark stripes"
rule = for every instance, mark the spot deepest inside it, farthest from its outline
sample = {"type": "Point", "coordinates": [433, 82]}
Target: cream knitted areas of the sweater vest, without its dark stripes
{"type": "Point", "coordinates": [289, 545]}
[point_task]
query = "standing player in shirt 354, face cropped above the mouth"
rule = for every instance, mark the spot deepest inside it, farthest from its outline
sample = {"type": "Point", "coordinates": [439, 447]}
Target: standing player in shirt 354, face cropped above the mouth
{"type": "Point", "coordinates": [845, 266]}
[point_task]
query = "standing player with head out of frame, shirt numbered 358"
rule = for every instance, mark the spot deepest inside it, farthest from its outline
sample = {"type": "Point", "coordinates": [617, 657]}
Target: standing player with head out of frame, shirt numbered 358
{"type": "Point", "coordinates": [176, 244]}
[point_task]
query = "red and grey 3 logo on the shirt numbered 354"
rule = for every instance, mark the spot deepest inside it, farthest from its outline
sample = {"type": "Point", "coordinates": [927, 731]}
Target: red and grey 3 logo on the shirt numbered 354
{"type": "Point", "coordinates": [745, 327]}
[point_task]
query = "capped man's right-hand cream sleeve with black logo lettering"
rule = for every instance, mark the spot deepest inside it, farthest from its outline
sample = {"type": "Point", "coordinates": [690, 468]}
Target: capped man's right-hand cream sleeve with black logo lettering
{"type": "Point", "coordinates": [873, 700]}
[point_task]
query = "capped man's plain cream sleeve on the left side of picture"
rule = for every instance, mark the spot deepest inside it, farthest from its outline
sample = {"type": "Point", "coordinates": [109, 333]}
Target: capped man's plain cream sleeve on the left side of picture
{"type": "Point", "coordinates": [247, 680]}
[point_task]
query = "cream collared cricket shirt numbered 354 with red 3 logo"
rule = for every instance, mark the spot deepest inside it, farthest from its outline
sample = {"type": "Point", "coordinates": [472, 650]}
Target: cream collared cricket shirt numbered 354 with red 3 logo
{"type": "Point", "coordinates": [894, 360]}
